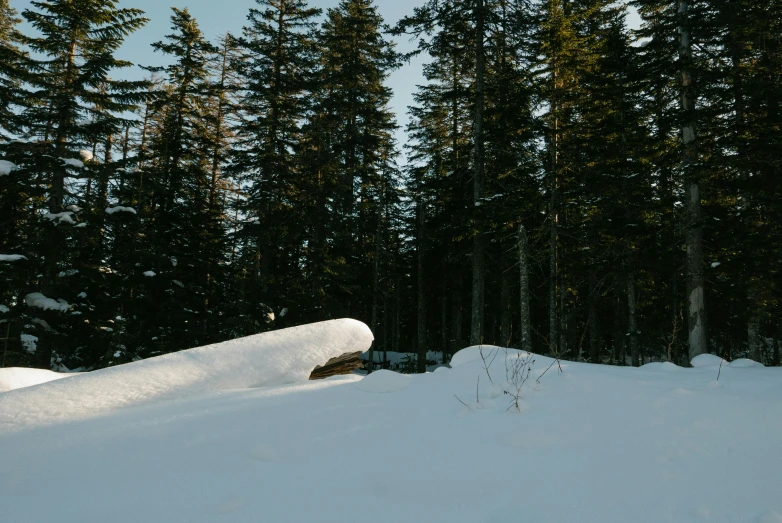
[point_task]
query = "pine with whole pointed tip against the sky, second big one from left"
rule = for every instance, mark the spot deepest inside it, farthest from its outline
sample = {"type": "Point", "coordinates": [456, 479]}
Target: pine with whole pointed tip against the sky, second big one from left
{"type": "Point", "coordinates": [184, 238]}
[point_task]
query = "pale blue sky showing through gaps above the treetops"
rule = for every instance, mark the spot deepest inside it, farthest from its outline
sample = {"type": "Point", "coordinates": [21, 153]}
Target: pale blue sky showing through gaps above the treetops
{"type": "Point", "coordinates": [218, 17]}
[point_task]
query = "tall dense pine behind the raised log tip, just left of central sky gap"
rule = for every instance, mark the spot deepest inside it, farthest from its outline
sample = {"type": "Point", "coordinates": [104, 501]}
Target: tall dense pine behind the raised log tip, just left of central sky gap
{"type": "Point", "coordinates": [350, 150]}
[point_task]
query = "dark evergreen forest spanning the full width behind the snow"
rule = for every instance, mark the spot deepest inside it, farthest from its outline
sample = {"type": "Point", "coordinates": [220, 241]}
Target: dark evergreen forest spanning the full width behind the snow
{"type": "Point", "coordinates": [570, 186]}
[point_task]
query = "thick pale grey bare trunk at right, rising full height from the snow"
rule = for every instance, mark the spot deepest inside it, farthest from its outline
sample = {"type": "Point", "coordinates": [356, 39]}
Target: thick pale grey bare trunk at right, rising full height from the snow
{"type": "Point", "coordinates": [696, 309]}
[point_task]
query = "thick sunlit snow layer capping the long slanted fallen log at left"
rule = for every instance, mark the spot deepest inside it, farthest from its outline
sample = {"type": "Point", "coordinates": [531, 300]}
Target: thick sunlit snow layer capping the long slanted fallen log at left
{"type": "Point", "coordinates": [272, 358]}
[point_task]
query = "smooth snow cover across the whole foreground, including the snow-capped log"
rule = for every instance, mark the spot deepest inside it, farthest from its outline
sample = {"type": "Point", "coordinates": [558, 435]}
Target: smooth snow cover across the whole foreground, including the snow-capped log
{"type": "Point", "coordinates": [591, 444]}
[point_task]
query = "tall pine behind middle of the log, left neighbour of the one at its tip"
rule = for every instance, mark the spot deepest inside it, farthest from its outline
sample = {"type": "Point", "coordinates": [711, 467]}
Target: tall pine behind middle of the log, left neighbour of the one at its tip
{"type": "Point", "coordinates": [277, 63]}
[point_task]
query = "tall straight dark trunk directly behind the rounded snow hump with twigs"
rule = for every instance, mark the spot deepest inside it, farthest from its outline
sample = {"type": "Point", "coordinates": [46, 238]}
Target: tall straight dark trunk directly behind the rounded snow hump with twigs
{"type": "Point", "coordinates": [478, 254]}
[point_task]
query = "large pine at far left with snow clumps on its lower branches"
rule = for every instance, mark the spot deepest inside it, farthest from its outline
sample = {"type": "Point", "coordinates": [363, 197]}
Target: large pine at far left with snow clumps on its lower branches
{"type": "Point", "coordinates": [74, 105]}
